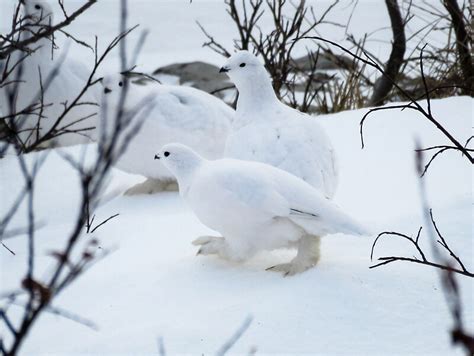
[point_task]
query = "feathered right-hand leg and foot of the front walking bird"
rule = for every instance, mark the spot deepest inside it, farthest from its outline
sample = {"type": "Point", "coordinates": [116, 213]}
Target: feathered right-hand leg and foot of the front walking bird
{"type": "Point", "coordinates": [307, 256]}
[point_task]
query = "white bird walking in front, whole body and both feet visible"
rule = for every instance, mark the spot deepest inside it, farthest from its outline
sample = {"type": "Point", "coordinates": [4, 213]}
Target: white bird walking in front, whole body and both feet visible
{"type": "Point", "coordinates": [255, 207]}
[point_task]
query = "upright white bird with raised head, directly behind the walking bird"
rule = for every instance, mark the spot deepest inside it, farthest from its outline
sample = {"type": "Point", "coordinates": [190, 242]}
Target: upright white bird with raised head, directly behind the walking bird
{"type": "Point", "coordinates": [268, 131]}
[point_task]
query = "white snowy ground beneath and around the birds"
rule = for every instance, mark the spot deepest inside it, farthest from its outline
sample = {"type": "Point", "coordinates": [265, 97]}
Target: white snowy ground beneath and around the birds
{"type": "Point", "coordinates": [154, 286]}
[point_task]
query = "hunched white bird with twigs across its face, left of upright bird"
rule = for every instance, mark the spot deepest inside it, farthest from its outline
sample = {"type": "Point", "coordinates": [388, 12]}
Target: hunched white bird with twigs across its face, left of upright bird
{"type": "Point", "coordinates": [178, 114]}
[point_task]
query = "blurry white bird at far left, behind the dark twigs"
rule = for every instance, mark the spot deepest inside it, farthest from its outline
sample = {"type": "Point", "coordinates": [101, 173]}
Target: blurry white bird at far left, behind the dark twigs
{"type": "Point", "coordinates": [78, 124]}
